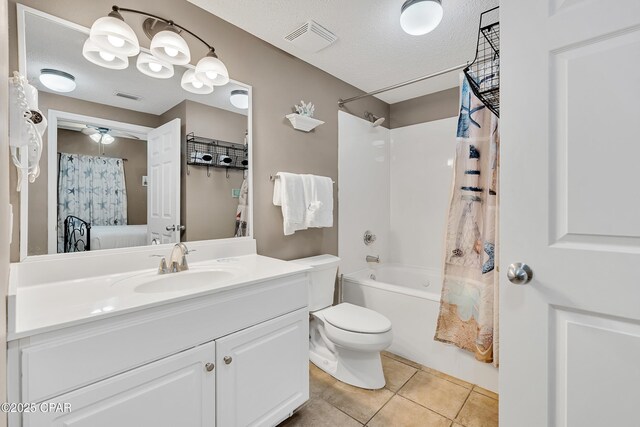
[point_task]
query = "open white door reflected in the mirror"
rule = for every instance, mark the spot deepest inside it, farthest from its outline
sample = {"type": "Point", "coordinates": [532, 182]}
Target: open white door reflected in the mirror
{"type": "Point", "coordinates": [163, 191]}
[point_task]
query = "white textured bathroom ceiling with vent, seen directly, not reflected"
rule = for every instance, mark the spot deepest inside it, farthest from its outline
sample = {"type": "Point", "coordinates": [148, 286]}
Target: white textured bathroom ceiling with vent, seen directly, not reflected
{"type": "Point", "coordinates": [372, 50]}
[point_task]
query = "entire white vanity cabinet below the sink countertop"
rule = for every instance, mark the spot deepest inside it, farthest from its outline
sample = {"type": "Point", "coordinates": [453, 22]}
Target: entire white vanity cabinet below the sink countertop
{"type": "Point", "coordinates": [227, 359]}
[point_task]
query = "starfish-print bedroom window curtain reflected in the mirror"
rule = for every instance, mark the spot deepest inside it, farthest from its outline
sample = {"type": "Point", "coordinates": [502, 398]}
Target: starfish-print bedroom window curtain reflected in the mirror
{"type": "Point", "coordinates": [91, 188]}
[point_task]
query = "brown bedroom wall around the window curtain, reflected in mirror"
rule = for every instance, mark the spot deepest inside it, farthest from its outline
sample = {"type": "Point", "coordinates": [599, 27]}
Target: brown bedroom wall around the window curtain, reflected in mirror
{"type": "Point", "coordinates": [135, 167]}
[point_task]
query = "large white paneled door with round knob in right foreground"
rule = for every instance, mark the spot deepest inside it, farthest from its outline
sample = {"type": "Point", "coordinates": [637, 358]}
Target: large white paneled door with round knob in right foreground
{"type": "Point", "coordinates": [570, 208]}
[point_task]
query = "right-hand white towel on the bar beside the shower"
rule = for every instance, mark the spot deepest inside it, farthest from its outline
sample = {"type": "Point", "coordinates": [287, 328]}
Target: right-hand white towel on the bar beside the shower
{"type": "Point", "coordinates": [318, 192]}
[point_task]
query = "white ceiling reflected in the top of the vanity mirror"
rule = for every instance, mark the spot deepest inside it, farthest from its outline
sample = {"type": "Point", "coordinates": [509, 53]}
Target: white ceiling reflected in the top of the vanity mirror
{"type": "Point", "coordinates": [51, 44]}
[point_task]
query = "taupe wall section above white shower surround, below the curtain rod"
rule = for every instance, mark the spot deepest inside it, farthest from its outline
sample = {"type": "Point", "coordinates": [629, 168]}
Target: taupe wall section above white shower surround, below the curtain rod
{"type": "Point", "coordinates": [427, 108]}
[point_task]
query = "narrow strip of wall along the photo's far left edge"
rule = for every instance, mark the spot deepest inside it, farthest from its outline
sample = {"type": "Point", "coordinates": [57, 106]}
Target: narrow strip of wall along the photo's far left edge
{"type": "Point", "coordinates": [4, 202]}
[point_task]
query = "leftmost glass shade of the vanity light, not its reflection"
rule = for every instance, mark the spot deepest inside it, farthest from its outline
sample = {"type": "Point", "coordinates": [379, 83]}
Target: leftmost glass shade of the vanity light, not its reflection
{"type": "Point", "coordinates": [112, 34]}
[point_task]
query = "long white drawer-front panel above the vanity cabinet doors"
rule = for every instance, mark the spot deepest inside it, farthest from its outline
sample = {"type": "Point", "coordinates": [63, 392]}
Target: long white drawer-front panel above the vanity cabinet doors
{"type": "Point", "coordinates": [62, 361]}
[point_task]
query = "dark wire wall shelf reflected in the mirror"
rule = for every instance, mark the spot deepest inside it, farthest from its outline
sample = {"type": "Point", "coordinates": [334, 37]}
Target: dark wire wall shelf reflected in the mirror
{"type": "Point", "coordinates": [215, 153]}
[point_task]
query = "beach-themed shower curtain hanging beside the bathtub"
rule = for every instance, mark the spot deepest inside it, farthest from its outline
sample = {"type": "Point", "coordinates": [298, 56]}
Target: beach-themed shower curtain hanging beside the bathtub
{"type": "Point", "coordinates": [469, 302]}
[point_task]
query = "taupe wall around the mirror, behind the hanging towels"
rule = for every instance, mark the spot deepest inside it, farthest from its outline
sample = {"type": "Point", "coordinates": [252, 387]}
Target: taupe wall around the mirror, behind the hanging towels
{"type": "Point", "coordinates": [279, 81]}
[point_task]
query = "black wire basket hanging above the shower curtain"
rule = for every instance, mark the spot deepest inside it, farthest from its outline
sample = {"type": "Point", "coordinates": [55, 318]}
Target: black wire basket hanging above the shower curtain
{"type": "Point", "coordinates": [484, 72]}
